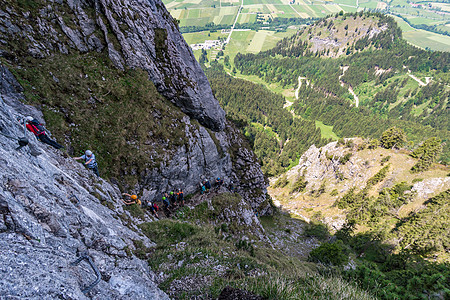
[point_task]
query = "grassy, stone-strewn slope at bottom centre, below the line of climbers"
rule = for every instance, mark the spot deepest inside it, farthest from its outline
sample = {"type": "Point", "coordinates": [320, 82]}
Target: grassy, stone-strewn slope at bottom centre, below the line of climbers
{"type": "Point", "coordinates": [208, 252]}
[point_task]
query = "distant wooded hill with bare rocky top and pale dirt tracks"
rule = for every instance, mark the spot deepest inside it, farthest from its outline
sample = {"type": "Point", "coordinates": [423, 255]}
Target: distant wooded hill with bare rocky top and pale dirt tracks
{"type": "Point", "coordinates": [379, 81]}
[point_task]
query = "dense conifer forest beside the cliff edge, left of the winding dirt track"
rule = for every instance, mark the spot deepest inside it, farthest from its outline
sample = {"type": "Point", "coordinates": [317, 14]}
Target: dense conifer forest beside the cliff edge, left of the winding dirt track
{"type": "Point", "coordinates": [276, 135]}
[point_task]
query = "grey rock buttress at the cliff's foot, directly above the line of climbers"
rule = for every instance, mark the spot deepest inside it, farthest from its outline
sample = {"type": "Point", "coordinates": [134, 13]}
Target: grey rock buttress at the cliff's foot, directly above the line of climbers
{"type": "Point", "coordinates": [209, 155]}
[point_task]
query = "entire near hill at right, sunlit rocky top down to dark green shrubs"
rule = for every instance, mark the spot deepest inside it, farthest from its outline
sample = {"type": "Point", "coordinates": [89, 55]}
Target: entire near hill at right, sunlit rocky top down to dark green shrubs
{"type": "Point", "coordinates": [395, 222]}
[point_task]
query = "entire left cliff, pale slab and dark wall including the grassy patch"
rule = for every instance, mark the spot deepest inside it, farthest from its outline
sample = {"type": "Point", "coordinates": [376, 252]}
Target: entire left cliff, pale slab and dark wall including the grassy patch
{"type": "Point", "coordinates": [67, 59]}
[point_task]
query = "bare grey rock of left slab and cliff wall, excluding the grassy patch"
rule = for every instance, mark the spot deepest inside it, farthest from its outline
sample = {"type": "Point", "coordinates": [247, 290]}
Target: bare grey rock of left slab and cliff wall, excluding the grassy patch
{"type": "Point", "coordinates": [52, 210]}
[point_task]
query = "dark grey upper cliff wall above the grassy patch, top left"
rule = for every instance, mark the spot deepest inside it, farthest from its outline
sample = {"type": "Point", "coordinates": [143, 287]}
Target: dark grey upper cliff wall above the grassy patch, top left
{"type": "Point", "coordinates": [136, 34]}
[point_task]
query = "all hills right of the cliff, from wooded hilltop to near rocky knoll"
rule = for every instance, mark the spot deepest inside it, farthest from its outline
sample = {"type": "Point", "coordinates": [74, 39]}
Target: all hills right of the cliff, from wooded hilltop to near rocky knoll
{"type": "Point", "coordinates": [378, 204]}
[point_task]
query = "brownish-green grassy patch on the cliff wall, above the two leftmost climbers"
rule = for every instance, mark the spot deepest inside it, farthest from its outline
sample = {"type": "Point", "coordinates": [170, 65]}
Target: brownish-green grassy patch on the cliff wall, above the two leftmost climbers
{"type": "Point", "coordinates": [110, 109]}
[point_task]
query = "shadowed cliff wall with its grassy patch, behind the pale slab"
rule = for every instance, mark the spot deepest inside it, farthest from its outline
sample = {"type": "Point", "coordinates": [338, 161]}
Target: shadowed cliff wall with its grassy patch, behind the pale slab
{"type": "Point", "coordinates": [136, 35]}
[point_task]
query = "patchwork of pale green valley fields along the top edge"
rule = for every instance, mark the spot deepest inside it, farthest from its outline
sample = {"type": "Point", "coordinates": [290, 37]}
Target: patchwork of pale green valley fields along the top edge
{"type": "Point", "coordinates": [202, 12]}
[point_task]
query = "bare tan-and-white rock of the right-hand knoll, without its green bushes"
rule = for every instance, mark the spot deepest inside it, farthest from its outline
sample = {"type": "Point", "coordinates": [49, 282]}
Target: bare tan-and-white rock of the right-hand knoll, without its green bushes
{"type": "Point", "coordinates": [330, 172]}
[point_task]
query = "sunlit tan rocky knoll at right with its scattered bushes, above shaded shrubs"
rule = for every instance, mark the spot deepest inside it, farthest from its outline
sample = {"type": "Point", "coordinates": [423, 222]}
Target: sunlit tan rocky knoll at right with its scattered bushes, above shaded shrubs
{"type": "Point", "coordinates": [332, 173]}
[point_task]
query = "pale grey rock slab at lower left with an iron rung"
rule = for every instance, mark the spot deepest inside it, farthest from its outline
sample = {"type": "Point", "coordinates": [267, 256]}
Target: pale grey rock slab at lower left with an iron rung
{"type": "Point", "coordinates": [51, 211]}
